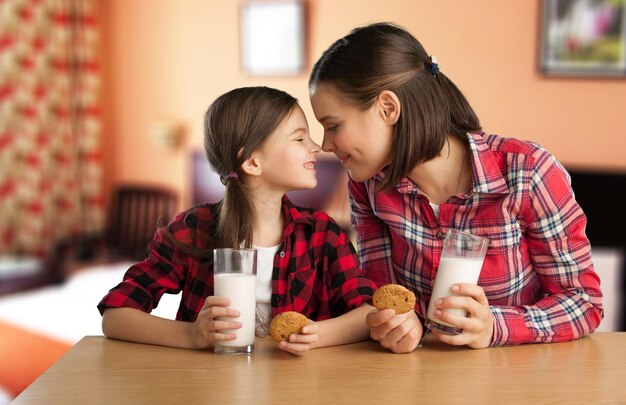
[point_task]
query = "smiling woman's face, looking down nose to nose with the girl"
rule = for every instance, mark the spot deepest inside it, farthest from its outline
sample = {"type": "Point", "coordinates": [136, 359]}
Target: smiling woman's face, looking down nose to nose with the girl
{"type": "Point", "coordinates": [361, 139]}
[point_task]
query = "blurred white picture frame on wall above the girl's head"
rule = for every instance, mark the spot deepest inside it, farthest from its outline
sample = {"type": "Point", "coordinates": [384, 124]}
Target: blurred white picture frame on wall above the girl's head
{"type": "Point", "coordinates": [273, 37]}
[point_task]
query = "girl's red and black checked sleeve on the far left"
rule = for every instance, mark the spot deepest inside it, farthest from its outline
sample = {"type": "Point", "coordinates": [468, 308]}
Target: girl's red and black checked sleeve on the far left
{"type": "Point", "coordinates": [162, 271]}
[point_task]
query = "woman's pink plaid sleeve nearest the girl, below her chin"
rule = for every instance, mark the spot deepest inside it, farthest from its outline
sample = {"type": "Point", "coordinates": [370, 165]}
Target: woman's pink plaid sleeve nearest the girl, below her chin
{"type": "Point", "coordinates": [373, 240]}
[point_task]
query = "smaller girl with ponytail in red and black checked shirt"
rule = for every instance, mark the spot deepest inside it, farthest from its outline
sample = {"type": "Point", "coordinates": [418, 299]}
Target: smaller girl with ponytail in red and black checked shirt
{"type": "Point", "coordinates": [257, 140]}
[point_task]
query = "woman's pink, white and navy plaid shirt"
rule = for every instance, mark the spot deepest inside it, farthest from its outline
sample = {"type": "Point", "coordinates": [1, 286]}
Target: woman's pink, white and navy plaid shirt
{"type": "Point", "coordinates": [538, 275]}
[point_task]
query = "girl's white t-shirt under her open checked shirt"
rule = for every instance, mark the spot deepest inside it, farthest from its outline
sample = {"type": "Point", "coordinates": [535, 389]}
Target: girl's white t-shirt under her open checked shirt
{"type": "Point", "coordinates": [264, 268]}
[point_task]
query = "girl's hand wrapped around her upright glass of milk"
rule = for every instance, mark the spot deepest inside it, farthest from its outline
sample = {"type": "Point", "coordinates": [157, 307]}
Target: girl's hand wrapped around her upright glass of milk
{"type": "Point", "coordinates": [205, 331]}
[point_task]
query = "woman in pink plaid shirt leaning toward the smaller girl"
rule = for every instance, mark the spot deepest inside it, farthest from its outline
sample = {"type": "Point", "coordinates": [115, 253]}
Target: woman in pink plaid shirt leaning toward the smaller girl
{"type": "Point", "coordinates": [420, 165]}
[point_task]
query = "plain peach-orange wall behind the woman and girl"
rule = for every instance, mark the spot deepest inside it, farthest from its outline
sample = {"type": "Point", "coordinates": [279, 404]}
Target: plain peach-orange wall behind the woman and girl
{"type": "Point", "coordinates": [168, 59]}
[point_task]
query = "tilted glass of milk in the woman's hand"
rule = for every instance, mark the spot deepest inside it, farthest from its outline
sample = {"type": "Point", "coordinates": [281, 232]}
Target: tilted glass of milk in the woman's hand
{"type": "Point", "coordinates": [461, 260]}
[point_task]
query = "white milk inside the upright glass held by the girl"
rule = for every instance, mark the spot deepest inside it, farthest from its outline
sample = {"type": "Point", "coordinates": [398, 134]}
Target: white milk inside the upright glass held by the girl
{"type": "Point", "coordinates": [240, 289]}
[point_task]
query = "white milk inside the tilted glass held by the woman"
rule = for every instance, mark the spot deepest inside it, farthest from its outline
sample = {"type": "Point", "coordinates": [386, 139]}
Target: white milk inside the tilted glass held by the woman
{"type": "Point", "coordinates": [453, 270]}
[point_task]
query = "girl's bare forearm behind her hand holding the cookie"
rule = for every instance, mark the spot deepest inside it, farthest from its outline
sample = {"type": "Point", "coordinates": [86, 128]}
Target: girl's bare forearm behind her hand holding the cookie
{"type": "Point", "coordinates": [347, 328]}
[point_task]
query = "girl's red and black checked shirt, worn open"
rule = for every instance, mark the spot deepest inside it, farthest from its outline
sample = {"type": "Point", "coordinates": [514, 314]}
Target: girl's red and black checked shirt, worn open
{"type": "Point", "coordinates": [316, 270]}
